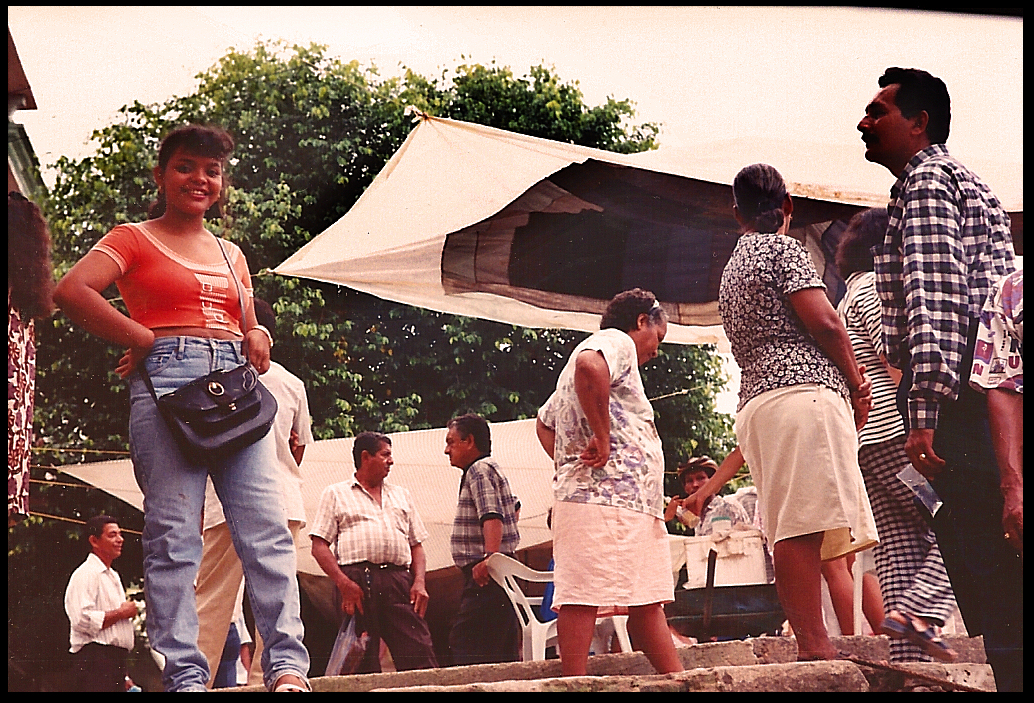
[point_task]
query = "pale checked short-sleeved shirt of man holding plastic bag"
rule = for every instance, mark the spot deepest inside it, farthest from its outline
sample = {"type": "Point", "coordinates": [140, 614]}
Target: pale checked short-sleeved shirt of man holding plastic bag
{"type": "Point", "coordinates": [359, 530]}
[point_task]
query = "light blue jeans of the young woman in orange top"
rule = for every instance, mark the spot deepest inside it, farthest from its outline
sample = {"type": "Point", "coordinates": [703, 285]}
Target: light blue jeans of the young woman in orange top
{"type": "Point", "coordinates": [174, 495]}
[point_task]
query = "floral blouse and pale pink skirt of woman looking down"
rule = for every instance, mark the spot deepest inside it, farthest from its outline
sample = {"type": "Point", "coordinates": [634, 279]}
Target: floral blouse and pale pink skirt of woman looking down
{"type": "Point", "coordinates": [607, 558]}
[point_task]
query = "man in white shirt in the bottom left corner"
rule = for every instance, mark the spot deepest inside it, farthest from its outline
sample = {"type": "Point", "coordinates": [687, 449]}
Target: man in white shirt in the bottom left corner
{"type": "Point", "coordinates": [102, 633]}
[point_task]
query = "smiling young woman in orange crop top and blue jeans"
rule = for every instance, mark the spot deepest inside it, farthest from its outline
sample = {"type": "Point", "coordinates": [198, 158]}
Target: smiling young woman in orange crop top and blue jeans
{"type": "Point", "coordinates": [186, 322]}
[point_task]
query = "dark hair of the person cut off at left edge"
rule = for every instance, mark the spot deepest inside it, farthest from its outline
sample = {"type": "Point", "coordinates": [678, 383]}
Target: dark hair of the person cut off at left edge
{"type": "Point", "coordinates": [31, 274]}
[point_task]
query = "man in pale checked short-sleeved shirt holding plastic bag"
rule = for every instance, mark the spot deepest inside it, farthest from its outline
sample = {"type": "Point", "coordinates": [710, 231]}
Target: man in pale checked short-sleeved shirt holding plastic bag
{"type": "Point", "coordinates": [368, 538]}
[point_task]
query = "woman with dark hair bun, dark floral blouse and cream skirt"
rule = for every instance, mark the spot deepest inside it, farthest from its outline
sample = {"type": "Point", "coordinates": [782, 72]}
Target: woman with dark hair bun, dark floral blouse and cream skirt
{"type": "Point", "coordinates": [802, 399]}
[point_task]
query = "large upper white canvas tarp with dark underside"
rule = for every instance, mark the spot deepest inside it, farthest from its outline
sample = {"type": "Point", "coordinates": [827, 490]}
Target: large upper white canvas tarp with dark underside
{"type": "Point", "coordinates": [489, 224]}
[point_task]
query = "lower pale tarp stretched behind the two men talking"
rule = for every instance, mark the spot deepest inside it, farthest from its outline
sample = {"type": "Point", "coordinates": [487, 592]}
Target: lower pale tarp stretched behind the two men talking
{"type": "Point", "coordinates": [420, 466]}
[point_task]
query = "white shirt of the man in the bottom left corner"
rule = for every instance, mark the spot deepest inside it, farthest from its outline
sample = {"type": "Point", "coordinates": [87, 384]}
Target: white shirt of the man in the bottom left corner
{"type": "Point", "coordinates": [95, 590]}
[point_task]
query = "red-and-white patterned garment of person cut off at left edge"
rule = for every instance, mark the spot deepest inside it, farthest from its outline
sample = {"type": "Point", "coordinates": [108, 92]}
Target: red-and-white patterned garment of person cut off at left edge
{"type": "Point", "coordinates": [21, 383]}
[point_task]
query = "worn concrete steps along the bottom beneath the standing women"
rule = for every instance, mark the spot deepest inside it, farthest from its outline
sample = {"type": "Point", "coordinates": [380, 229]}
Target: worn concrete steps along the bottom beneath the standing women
{"type": "Point", "coordinates": [764, 664]}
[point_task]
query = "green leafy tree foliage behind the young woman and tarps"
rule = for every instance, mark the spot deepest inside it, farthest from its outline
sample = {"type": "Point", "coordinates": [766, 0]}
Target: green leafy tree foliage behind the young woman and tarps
{"type": "Point", "coordinates": [313, 132]}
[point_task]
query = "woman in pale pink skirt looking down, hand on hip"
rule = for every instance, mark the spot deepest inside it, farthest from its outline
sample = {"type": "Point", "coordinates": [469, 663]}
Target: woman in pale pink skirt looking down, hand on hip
{"type": "Point", "coordinates": [611, 545]}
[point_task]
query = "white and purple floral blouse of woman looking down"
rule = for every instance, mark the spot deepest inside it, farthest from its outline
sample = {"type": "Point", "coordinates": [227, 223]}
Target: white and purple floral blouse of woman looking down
{"type": "Point", "coordinates": [633, 477]}
